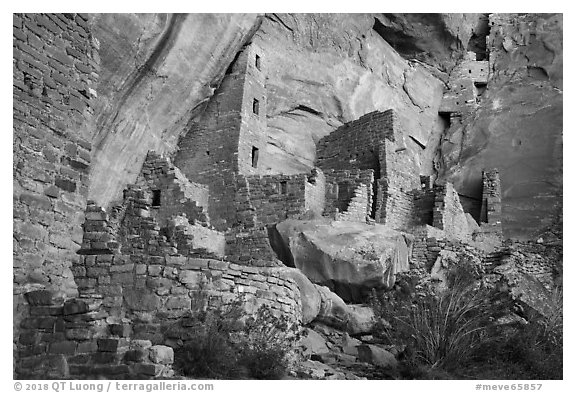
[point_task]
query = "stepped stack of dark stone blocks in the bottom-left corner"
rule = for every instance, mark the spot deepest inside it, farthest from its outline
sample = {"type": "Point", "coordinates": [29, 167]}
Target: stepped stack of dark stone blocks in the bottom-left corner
{"type": "Point", "coordinates": [72, 339]}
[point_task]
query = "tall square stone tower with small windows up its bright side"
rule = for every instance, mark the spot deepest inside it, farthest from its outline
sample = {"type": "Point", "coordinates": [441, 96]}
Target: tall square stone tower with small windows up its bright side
{"type": "Point", "coordinates": [228, 139]}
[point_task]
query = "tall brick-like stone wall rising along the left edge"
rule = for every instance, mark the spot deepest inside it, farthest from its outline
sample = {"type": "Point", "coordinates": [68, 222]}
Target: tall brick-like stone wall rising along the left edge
{"type": "Point", "coordinates": [55, 73]}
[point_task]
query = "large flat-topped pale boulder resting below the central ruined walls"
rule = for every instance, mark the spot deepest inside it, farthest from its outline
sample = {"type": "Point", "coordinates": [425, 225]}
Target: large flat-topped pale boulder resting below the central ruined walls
{"type": "Point", "coordinates": [350, 258]}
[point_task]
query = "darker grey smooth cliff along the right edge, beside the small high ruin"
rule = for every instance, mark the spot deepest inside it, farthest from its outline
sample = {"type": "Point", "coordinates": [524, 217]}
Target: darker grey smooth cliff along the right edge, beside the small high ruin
{"type": "Point", "coordinates": [518, 125]}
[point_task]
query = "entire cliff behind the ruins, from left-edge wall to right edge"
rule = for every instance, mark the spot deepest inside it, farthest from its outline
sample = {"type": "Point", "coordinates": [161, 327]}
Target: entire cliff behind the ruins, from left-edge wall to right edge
{"type": "Point", "coordinates": [324, 70]}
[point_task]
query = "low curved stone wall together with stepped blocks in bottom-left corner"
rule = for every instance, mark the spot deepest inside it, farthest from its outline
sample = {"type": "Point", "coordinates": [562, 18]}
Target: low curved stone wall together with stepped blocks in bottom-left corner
{"type": "Point", "coordinates": [127, 325]}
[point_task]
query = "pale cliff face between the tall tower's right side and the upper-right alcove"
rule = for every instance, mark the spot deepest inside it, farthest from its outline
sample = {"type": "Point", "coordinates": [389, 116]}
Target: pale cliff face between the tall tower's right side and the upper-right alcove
{"type": "Point", "coordinates": [333, 68]}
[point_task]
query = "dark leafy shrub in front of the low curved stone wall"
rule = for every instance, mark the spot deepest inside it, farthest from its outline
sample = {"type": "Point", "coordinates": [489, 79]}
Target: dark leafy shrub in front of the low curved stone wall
{"type": "Point", "coordinates": [228, 343]}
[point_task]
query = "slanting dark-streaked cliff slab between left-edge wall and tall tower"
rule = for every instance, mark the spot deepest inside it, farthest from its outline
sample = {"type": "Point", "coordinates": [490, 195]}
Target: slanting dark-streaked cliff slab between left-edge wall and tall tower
{"type": "Point", "coordinates": [155, 71]}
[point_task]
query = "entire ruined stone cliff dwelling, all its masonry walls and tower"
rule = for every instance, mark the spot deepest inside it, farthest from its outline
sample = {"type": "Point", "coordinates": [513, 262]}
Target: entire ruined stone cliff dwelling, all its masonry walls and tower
{"type": "Point", "coordinates": [206, 215]}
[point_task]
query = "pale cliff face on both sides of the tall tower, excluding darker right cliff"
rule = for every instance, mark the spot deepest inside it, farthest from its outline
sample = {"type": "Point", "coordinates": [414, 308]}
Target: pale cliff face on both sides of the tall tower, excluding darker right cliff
{"type": "Point", "coordinates": [324, 70]}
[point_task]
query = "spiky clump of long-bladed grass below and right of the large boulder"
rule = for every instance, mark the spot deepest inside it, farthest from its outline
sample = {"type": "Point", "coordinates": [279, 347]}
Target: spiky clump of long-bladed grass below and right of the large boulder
{"type": "Point", "coordinates": [440, 330]}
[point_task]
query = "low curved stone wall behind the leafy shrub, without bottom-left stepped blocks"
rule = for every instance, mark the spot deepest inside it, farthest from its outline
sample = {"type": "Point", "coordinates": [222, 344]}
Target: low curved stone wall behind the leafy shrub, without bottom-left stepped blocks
{"type": "Point", "coordinates": [154, 293]}
